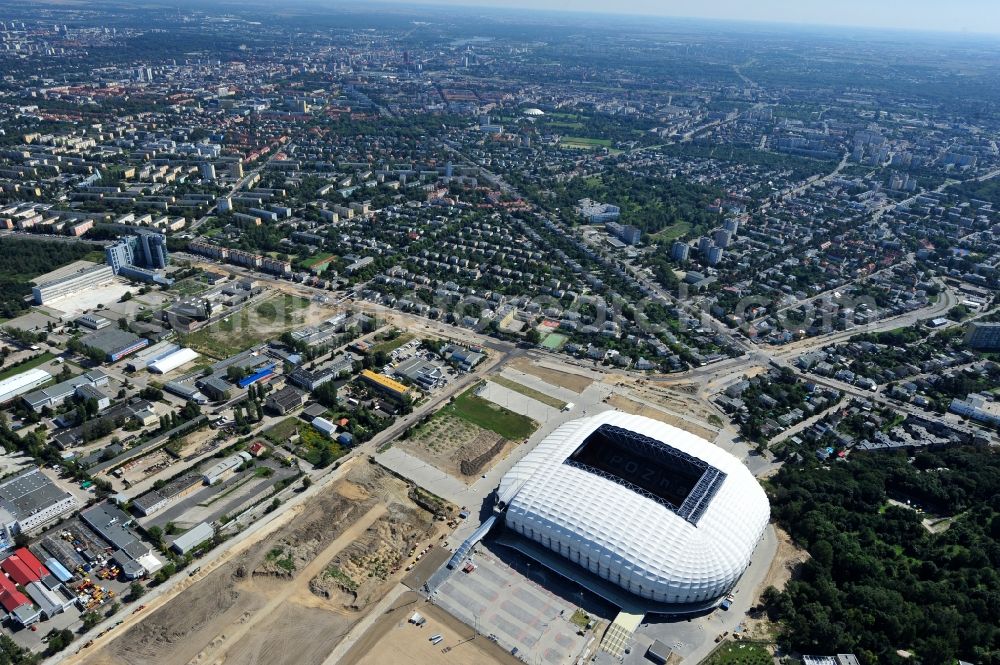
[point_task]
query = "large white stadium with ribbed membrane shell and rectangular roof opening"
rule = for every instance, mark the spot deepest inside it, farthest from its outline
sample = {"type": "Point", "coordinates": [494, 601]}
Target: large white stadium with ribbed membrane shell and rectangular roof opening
{"type": "Point", "coordinates": [652, 509]}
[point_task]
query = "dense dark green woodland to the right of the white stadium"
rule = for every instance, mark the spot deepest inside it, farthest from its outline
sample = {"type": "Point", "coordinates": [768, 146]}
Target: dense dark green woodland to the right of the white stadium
{"type": "Point", "coordinates": [879, 581]}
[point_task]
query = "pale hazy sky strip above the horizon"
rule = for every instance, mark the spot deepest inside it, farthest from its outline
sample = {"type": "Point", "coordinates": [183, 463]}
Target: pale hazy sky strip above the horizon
{"type": "Point", "coordinates": [982, 16]}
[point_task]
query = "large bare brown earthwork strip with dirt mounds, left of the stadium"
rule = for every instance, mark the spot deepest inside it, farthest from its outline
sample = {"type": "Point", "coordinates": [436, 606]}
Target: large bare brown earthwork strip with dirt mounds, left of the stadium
{"type": "Point", "coordinates": [292, 595]}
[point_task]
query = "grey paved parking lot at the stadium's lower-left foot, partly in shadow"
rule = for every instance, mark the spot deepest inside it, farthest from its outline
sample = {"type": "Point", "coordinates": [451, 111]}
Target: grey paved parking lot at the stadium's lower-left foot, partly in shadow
{"type": "Point", "coordinates": [520, 605]}
